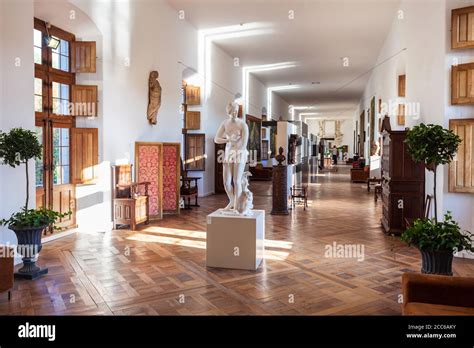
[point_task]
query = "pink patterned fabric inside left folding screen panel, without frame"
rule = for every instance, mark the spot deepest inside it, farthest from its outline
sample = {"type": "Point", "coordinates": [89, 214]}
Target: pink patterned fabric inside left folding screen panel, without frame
{"type": "Point", "coordinates": [148, 169]}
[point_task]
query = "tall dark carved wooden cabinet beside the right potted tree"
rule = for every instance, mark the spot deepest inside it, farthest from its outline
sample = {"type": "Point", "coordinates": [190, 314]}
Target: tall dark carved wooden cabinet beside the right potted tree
{"type": "Point", "coordinates": [403, 184]}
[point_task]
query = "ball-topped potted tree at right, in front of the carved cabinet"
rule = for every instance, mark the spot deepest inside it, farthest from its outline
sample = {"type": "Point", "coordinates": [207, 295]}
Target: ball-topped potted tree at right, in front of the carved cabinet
{"type": "Point", "coordinates": [437, 241]}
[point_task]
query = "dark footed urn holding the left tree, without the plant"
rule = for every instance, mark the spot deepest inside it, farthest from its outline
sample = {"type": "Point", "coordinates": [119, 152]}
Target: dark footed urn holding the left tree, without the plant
{"type": "Point", "coordinates": [29, 246]}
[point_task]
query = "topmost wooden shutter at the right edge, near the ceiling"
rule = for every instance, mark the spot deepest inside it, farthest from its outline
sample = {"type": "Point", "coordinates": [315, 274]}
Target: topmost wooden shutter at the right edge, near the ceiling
{"type": "Point", "coordinates": [462, 28]}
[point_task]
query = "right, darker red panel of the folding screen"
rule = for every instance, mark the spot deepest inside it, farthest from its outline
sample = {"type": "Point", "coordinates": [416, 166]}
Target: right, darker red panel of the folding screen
{"type": "Point", "coordinates": [171, 177]}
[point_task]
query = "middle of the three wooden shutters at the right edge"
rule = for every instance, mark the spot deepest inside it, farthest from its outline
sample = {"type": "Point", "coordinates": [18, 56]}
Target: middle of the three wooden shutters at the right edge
{"type": "Point", "coordinates": [462, 84]}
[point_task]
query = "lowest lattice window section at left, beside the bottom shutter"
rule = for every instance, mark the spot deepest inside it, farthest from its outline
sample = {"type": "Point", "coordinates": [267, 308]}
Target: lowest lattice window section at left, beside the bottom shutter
{"type": "Point", "coordinates": [61, 153]}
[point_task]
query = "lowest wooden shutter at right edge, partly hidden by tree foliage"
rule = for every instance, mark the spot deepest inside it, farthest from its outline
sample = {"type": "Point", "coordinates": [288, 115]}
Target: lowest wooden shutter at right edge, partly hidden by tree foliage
{"type": "Point", "coordinates": [461, 169]}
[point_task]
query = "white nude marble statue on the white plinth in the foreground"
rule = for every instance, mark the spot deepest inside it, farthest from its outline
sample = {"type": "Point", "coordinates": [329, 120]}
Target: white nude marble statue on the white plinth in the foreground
{"type": "Point", "coordinates": [234, 133]}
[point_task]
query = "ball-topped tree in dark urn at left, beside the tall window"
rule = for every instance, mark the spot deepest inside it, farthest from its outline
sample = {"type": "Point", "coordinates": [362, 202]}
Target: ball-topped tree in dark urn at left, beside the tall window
{"type": "Point", "coordinates": [17, 147]}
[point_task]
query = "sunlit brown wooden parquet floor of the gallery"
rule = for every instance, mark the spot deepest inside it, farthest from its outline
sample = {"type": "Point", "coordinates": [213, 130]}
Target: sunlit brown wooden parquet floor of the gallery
{"type": "Point", "coordinates": [161, 270]}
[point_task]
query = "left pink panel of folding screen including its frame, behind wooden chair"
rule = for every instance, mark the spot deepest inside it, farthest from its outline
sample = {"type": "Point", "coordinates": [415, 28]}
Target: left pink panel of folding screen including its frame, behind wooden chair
{"type": "Point", "coordinates": [149, 167]}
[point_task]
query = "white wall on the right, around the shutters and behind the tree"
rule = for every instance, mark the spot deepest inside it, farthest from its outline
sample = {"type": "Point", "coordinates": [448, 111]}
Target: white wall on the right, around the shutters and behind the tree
{"type": "Point", "coordinates": [426, 62]}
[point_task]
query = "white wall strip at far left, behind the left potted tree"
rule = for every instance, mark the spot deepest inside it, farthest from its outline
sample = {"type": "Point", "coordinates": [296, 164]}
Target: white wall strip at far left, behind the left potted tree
{"type": "Point", "coordinates": [17, 102]}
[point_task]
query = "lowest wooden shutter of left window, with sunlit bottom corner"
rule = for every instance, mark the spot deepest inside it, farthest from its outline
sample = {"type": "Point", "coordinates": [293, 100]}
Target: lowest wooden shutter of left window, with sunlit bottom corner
{"type": "Point", "coordinates": [84, 155]}
